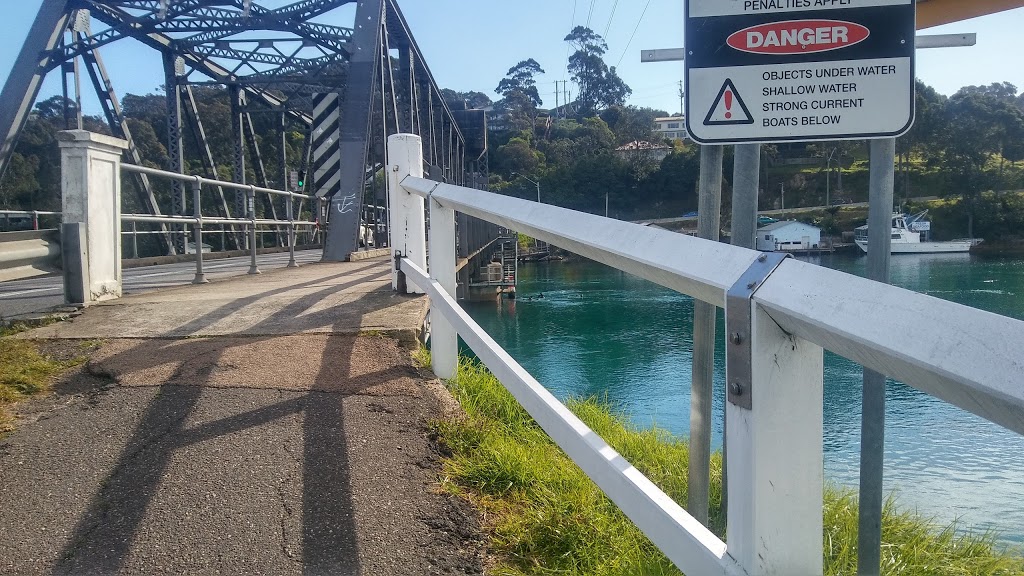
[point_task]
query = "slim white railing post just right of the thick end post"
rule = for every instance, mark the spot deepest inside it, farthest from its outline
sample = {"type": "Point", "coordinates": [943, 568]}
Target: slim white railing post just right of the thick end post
{"type": "Point", "coordinates": [444, 340]}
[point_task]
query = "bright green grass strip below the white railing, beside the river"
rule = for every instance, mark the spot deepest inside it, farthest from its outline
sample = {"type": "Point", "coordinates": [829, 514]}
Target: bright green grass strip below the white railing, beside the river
{"type": "Point", "coordinates": [546, 517]}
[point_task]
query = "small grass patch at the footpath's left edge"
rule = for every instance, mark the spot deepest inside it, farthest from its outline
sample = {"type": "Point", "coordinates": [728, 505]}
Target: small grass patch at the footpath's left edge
{"type": "Point", "coordinates": [24, 372]}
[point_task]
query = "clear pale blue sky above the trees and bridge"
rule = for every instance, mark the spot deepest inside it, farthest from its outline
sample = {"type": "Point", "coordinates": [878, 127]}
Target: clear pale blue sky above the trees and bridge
{"type": "Point", "coordinates": [471, 46]}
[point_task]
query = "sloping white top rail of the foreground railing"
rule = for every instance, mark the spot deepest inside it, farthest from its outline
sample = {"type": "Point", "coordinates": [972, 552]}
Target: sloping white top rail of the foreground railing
{"type": "Point", "coordinates": [971, 359]}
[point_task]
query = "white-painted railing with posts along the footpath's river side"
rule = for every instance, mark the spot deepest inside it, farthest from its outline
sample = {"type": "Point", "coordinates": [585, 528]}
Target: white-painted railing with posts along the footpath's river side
{"type": "Point", "coordinates": [793, 311]}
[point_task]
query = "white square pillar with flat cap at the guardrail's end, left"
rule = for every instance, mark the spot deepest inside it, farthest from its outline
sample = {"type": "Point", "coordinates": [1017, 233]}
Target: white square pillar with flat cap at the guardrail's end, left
{"type": "Point", "coordinates": [91, 184]}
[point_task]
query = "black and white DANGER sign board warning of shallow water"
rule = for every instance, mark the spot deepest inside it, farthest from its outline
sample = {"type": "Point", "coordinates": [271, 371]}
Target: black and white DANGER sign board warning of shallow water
{"type": "Point", "coordinates": [766, 71]}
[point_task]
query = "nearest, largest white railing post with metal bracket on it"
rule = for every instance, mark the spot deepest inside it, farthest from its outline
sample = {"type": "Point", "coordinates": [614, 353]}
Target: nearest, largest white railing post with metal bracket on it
{"type": "Point", "coordinates": [776, 458]}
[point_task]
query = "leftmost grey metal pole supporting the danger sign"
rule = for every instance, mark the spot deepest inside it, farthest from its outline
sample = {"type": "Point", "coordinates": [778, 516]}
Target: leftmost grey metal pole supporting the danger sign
{"type": "Point", "coordinates": [709, 224]}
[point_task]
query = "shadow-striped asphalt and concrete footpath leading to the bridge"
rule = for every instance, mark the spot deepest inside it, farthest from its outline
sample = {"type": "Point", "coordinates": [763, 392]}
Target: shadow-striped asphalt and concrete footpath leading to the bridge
{"type": "Point", "coordinates": [270, 425]}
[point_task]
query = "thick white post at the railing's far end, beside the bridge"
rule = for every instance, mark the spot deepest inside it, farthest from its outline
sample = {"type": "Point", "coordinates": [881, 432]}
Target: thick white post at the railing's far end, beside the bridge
{"type": "Point", "coordinates": [406, 220]}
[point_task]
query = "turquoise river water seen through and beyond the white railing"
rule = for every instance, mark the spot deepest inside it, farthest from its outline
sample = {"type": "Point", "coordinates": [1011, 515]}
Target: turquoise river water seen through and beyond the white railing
{"type": "Point", "coordinates": [598, 332]}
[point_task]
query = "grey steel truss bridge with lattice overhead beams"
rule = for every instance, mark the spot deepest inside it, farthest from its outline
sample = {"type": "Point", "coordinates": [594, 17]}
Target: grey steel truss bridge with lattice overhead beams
{"type": "Point", "coordinates": [347, 88]}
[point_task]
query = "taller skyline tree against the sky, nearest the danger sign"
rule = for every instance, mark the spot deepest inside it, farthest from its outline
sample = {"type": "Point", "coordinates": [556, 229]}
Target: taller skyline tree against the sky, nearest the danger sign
{"type": "Point", "coordinates": [600, 86]}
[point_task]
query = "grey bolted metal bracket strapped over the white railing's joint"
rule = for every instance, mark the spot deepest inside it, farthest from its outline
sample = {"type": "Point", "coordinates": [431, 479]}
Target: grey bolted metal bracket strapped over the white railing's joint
{"type": "Point", "coordinates": [739, 327]}
